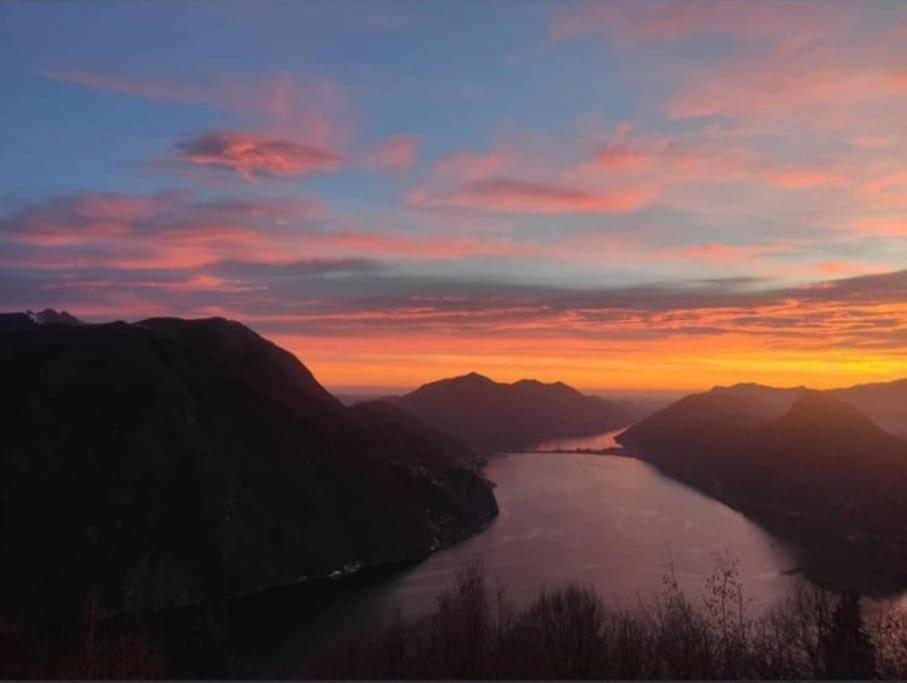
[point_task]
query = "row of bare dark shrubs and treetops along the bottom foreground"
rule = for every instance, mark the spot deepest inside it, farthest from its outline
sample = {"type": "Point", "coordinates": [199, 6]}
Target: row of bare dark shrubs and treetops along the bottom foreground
{"type": "Point", "coordinates": [568, 633]}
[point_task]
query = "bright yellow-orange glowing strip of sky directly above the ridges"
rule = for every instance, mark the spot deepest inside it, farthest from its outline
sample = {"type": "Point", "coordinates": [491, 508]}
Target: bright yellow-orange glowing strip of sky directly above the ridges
{"type": "Point", "coordinates": [681, 365]}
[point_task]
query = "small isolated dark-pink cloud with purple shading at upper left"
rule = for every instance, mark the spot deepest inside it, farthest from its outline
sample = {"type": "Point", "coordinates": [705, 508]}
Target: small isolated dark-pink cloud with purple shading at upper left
{"type": "Point", "coordinates": [253, 154]}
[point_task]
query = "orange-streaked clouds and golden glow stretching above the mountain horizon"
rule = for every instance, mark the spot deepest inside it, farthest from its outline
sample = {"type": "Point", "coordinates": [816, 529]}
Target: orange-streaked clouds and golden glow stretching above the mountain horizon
{"type": "Point", "coordinates": [835, 333]}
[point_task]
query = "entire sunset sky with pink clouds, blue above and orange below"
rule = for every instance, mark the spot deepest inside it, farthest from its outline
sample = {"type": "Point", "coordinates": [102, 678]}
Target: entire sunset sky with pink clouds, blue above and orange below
{"type": "Point", "coordinates": [627, 196]}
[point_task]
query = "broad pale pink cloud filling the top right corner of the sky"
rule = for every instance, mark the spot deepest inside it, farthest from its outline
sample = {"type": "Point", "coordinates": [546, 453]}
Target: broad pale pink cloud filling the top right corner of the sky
{"type": "Point", "coordinates": [831, 64]}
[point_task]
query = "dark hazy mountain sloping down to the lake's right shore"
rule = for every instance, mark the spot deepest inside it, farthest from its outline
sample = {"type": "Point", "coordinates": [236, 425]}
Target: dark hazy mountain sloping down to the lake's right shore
{"type": "Point", "coordinates": [822, 475]}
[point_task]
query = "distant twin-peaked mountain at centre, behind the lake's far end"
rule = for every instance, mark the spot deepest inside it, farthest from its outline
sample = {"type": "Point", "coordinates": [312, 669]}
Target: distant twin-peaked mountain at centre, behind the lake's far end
{"type": "Point", "coordinates": [491, 416]}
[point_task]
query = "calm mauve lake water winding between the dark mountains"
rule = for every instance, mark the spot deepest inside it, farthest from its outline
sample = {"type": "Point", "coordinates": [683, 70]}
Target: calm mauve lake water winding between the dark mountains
{"type": "Point", "coordinates": [610, 522]}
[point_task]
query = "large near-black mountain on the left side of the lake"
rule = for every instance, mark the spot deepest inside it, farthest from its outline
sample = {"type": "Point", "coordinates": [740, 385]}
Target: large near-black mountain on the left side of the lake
{"type": "Point", "coordinates": [171, 462]}
